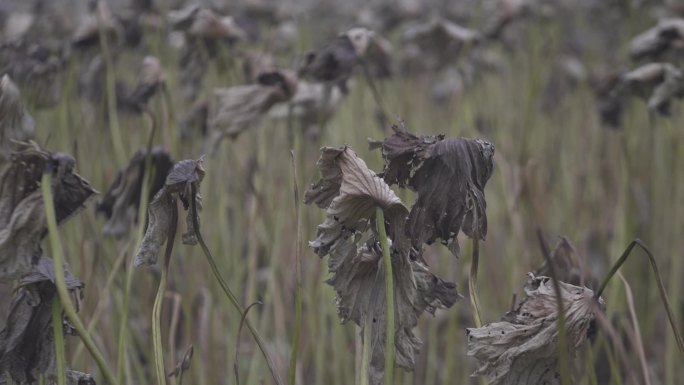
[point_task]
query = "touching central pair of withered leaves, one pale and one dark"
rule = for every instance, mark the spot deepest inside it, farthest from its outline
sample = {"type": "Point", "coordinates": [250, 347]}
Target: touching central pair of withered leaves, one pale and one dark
{"type": "Point", "coordinates": [350, 193]}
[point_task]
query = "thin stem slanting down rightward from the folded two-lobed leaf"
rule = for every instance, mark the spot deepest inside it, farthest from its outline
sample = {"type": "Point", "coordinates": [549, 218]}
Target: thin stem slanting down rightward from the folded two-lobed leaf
{"type": "Point", "coordinates": [226, 290]}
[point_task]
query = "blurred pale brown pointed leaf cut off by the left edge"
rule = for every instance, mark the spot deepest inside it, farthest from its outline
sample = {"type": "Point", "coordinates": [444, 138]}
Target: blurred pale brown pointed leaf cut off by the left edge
{"type": "Point", "coordinates": [15, 121]}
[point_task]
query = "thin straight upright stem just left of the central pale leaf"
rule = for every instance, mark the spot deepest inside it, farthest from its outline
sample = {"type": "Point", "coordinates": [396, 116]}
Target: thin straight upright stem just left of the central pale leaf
{"type": "Point", "coordinates": [292, 371]}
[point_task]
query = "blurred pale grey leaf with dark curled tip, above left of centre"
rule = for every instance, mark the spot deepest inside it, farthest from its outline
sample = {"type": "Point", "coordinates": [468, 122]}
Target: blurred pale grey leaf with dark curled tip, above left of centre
{"type": "Point", "coordinates": [239, 108]}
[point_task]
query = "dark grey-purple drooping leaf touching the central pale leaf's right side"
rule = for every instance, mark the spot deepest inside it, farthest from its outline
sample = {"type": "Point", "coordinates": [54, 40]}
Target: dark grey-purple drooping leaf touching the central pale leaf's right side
{"type": "Point", "coordinates": [449, 175]}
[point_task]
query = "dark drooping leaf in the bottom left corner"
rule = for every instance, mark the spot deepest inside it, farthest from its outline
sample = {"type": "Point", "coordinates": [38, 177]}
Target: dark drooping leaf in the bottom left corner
{"type": "Point", "coordinates": [26, 343]}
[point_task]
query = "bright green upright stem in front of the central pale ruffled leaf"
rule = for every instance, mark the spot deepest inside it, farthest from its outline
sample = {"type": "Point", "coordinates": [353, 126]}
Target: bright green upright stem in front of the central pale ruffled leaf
{"type": "Point", "coordinates": [389, 291]}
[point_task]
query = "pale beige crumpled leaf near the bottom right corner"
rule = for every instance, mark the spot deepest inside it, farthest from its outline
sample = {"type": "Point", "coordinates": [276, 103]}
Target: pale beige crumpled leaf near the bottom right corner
{"type": "Point", "coordinates": [522, 349]}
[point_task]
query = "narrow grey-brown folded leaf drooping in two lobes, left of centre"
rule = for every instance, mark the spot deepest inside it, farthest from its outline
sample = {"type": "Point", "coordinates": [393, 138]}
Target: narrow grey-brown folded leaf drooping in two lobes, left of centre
{"type": "Point", "coordinates": [184, 177]}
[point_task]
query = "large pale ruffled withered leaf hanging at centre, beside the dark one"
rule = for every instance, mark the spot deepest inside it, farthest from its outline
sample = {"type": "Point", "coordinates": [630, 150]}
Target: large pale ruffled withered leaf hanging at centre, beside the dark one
{"type": "Point", "coordinates": [350, 193]}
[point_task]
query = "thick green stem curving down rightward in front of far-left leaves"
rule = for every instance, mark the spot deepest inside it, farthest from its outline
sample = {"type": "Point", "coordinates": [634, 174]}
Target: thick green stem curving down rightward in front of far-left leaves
{"type": "Point", "coordinates": [61, 284]}
